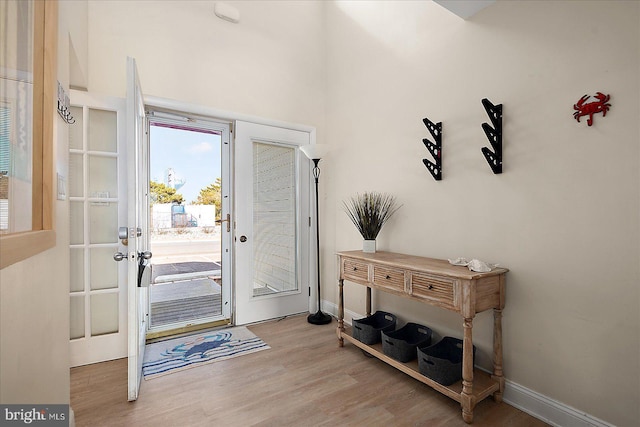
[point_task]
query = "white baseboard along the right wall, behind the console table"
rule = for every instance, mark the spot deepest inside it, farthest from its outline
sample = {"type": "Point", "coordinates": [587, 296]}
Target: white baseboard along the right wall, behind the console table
{"type": "Point", "coordinates": [533, 403]}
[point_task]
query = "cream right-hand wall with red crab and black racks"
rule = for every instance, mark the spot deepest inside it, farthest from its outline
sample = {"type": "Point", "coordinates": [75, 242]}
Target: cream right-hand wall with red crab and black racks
{"type": "Point", "coordinates": [564, 215]}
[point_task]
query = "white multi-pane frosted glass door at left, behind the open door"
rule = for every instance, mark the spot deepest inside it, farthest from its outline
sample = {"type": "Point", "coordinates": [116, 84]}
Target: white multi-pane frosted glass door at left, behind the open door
{"type": "Point", "coordinates": [97, 204]}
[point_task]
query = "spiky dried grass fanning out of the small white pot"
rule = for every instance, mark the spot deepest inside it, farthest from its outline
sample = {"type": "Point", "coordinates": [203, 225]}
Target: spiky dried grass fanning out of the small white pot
{"type": "Point", "coordinates": [370, 211]}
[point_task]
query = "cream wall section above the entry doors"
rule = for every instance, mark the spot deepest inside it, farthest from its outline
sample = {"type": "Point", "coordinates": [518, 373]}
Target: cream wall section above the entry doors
{"type": "Point", "coordinates": [270, 64]}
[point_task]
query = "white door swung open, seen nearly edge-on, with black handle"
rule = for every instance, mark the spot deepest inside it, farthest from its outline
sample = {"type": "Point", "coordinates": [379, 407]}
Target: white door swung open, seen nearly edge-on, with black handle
{"type": "Point", "coordinates": [137, 229]}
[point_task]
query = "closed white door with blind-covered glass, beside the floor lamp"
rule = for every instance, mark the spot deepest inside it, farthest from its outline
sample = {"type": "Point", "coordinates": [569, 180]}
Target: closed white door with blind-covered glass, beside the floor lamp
{"type": "Point", "coordinates": [272, 222]}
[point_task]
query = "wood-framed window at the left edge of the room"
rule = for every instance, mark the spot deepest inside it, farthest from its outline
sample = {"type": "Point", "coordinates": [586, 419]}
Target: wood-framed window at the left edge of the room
{"type": "Point", "coordinates": [27, 82]}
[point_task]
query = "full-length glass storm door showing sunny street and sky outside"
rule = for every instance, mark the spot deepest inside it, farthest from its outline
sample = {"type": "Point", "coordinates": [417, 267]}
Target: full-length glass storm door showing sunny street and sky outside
{"type": "Point", "coordinates": [188, 223]}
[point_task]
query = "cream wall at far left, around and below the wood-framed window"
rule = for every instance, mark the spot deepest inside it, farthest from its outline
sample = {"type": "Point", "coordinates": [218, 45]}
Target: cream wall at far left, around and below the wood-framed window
{"type": "Point", "coordinates": [34, 294]}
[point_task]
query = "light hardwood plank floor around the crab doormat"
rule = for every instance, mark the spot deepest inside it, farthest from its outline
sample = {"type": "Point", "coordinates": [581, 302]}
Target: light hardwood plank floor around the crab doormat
{"type": "Point", "coordinates": [305, 379]}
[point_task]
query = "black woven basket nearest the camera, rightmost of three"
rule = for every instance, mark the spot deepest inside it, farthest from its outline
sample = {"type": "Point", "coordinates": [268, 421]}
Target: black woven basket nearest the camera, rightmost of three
{"type": "Point", "coordinates": [442, 362]}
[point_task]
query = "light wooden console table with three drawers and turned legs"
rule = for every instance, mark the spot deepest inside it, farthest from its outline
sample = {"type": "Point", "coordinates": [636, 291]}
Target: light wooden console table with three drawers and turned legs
{"type": "Point", "coordinates": [434, 282]}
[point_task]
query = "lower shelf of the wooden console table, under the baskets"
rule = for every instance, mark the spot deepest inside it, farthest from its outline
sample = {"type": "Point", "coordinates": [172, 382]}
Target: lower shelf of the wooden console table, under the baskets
{"type": "Point", "coordinates": [483, 385]}
